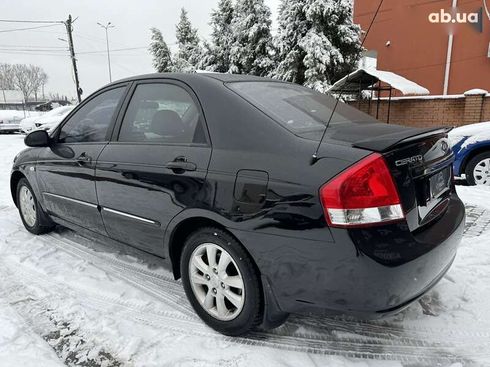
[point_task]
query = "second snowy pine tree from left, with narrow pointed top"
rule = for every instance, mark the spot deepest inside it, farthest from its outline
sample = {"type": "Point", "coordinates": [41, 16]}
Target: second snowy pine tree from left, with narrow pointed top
{"type": "Point", "coordinates": [190, 52]}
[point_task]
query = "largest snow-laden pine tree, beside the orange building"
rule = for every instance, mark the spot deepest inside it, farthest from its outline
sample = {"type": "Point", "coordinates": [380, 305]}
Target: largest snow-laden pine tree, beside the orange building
{"type": "Point", "coordinates": [317, 42]}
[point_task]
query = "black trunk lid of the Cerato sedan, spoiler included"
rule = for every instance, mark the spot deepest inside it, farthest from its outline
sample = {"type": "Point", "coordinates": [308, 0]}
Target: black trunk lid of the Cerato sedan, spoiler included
{"type": "Point", "coordinates": [419, 159]}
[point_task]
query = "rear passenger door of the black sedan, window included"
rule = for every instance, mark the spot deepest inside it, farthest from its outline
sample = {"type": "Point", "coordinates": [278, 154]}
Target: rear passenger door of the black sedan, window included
{"type": "Point", "coordinates": [155, 166]}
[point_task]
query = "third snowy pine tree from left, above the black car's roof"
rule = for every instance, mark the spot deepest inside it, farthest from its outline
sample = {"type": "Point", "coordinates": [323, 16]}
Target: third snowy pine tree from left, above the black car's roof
{"type": "Point", "coordinates": [217, 54]}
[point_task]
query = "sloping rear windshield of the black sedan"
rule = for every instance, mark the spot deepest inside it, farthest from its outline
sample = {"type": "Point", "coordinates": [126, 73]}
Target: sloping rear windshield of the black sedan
{"type": "Point", "coordinates": [297, 108]}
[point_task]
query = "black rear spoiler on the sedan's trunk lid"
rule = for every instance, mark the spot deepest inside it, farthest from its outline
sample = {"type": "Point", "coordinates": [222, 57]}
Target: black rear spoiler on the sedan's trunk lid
{"type": "Point", "coordinates": [384, 143]}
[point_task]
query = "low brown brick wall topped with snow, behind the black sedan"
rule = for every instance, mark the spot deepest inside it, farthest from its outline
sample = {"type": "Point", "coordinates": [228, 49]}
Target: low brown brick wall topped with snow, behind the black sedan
{"type": "Point", "coordinates": [431, 111]}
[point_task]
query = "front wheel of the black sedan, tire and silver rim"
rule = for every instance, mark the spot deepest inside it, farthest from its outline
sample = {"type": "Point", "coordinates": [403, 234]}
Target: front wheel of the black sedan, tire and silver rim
{"type": "Point", "coordinates": [33, 217]}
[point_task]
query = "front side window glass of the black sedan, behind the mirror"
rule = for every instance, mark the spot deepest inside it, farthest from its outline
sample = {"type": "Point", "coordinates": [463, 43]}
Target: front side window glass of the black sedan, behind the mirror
{"type": "Point", "coordinates": [91, 122]}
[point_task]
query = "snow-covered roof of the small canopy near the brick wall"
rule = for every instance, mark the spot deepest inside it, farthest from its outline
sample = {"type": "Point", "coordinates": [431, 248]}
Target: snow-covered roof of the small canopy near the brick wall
{"type": "Point", "coordinates": [366, 77]}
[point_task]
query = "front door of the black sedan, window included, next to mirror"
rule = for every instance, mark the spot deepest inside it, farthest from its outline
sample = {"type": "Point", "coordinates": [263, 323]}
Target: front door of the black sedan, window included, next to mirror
{"type": "Point", "coordinates": [66, 169]}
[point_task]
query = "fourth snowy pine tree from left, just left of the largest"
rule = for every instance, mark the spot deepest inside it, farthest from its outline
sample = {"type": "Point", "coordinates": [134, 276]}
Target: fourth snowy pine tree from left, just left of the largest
{"type": "Point", "coordinates": [252, 41]}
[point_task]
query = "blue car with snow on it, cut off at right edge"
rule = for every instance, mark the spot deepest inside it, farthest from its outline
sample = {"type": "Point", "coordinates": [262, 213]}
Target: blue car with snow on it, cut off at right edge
{"type": "Point", "coordinates": [471, 147]}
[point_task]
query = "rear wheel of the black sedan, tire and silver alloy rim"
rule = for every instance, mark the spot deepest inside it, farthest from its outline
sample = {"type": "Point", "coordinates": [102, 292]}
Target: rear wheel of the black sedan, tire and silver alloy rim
{"type": "Point", "coordinates": [216, 283]}
